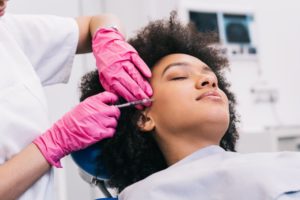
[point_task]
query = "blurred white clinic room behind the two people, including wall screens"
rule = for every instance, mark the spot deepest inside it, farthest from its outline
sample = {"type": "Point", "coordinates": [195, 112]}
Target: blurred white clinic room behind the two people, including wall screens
{"type": "Point", "coordinates": [260, 38]}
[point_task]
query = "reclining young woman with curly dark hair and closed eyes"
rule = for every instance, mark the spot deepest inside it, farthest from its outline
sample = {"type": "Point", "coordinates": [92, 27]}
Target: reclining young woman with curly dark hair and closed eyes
{"type": "Point", "coordinates": [182, 146]}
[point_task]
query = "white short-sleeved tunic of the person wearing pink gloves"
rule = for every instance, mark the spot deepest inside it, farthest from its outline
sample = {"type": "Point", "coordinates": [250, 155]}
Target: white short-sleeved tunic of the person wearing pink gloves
{"type": "Point", "coordinates": [34, 51]}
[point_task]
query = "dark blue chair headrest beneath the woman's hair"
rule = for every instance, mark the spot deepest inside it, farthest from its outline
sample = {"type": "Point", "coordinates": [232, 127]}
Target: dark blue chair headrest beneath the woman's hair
{"type": "Point", "coordinates": [86, 160]}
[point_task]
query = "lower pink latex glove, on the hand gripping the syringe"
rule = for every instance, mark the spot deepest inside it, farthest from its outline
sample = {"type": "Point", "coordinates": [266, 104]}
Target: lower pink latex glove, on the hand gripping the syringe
{"type": "Point", "coordinates": [89, 122]}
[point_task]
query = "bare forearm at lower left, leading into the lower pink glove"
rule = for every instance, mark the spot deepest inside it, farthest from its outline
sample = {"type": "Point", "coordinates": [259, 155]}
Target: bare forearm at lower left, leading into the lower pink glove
{"type": "Point", "coordinates": [21, 172]}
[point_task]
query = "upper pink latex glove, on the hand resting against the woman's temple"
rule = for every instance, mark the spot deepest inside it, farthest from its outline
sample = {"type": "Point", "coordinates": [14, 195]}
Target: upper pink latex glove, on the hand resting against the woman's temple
{"type": "Point", "coordinates": [121, 70]}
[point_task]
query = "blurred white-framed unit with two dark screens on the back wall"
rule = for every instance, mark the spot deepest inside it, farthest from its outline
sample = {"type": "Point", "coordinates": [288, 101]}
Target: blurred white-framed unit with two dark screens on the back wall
{"type": "Point", "coordinates": [232, 25]}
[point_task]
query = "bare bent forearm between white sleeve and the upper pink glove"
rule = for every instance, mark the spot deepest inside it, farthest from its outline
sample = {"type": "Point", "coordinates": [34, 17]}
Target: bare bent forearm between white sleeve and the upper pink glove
{"type": "Point", "coordinates": [88, 25]}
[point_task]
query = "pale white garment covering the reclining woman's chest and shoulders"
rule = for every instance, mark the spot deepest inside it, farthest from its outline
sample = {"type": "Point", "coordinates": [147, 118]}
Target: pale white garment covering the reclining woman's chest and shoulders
{"type": "Point", "coordinates": [214, 174]}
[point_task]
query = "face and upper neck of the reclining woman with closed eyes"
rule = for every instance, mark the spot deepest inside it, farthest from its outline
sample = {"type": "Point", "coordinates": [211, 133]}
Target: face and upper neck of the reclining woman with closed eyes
{"type": "Point", "coordinates": [187, 98]}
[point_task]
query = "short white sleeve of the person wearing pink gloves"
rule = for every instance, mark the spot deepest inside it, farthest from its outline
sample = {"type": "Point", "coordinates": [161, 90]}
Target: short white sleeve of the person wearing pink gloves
{"type": "Point", "coordinates": [49, 42]}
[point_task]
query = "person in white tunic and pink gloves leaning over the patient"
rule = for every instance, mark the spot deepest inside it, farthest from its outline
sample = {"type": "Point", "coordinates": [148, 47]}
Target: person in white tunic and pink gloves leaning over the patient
{"type": "Point", "coordinates": [38, 50]}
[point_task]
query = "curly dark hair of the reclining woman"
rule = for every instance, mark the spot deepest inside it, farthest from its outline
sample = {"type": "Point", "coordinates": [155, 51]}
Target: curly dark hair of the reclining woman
{"type": "Point", "coordinates": [131, 156]}
